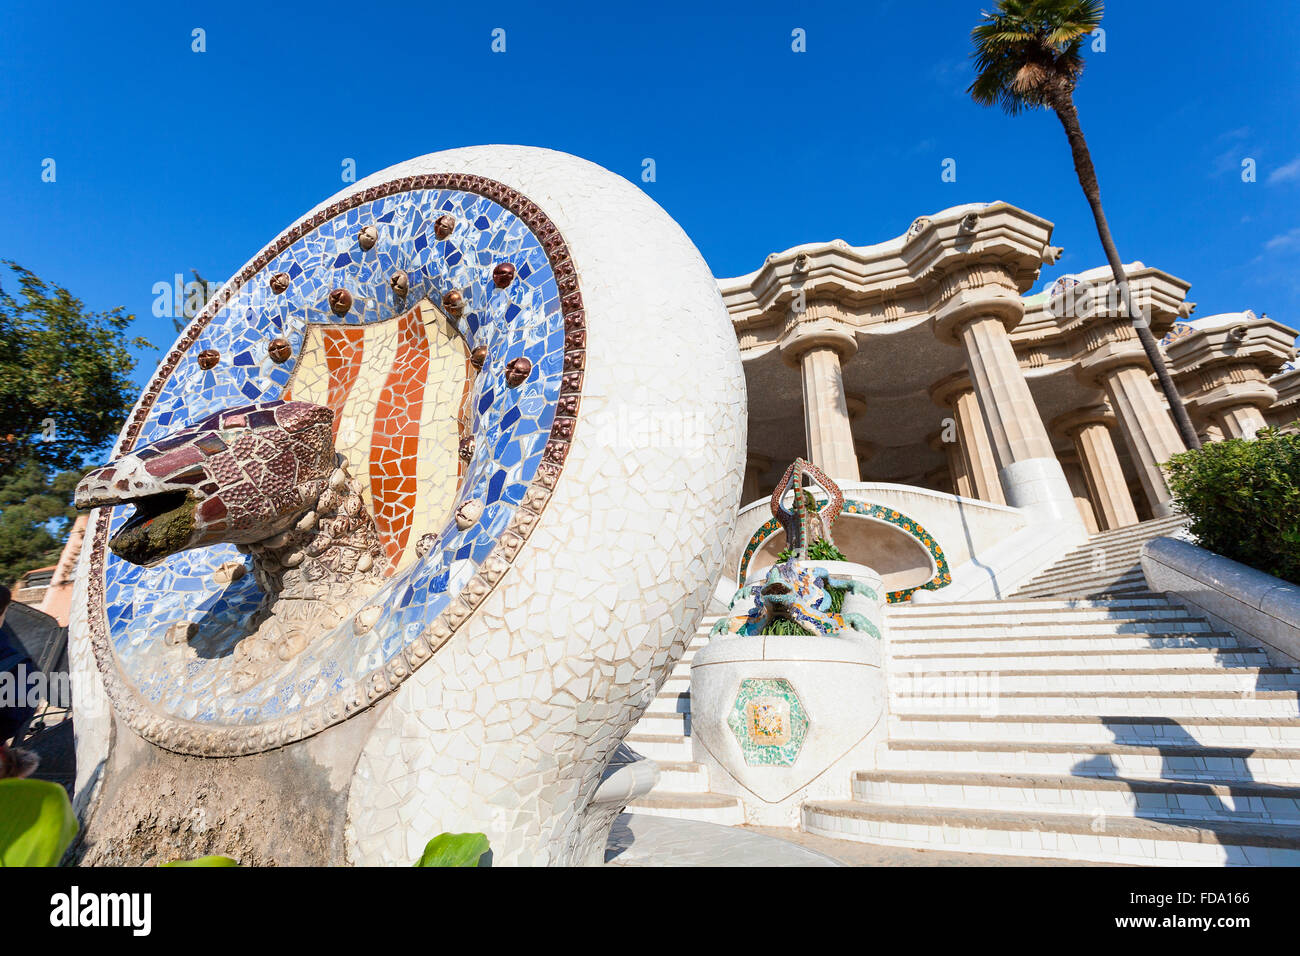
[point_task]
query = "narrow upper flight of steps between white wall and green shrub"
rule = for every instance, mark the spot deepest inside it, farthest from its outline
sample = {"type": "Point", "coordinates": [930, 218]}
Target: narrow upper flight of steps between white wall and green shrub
{"type": "Point", "coordinates": [1106, 565]}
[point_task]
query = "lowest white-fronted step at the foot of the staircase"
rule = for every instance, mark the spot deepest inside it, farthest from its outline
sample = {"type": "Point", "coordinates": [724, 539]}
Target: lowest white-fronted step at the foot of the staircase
{"type": "Point", "coordinates": [1071, 837]}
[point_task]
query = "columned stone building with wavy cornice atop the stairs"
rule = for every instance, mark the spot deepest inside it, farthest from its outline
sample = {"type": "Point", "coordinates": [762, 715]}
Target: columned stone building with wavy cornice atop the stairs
{"type": "Point", "coordinates": [926, 361]}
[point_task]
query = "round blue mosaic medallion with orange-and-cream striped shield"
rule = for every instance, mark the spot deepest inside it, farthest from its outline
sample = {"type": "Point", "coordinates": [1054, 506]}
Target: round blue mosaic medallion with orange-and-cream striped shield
{"type": "Point", "coordinates": [439, 319]}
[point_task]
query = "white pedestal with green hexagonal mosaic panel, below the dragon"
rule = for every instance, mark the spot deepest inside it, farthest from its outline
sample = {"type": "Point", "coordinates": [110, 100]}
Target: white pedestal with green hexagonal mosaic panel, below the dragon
{"type": "Point", "coordinates": [782, 720]}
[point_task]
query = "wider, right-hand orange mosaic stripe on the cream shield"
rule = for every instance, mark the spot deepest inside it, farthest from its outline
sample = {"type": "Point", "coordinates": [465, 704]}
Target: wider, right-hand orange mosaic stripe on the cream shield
{"type": "Point", "coordinates": [396, 440]}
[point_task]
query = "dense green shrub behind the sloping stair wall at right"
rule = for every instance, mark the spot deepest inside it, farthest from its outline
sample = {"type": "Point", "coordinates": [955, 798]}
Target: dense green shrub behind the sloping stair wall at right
{"type": "Point", "coordinates": [1243, 500]}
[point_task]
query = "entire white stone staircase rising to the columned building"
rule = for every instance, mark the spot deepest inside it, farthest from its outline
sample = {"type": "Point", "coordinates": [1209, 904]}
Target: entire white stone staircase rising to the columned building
{"type": "Point", "coordinates": [1107, 730]}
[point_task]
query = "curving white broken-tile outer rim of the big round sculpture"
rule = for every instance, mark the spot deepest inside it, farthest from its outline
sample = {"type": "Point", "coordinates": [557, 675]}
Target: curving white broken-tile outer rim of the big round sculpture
{"type": "Point", "coordinates": [510, 726]}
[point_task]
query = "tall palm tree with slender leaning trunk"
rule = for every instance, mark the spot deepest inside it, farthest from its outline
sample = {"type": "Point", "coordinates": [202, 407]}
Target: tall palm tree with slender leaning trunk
{"type": "Point", "coordinates": [1028, 57]}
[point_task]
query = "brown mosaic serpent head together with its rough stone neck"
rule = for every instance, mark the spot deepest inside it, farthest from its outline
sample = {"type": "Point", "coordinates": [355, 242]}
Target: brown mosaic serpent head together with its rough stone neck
{"type": "Point", "coordinates": [267, 479]}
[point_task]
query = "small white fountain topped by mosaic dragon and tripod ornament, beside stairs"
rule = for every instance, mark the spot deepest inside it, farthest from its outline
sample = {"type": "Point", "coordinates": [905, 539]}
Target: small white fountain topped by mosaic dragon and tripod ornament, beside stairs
{"type": "Point", "coordinates": [790, 694]}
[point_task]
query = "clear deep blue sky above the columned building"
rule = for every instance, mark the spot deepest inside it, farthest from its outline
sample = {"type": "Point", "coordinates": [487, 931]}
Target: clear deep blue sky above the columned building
{"type": "Point", "coordinates": [170, 161]}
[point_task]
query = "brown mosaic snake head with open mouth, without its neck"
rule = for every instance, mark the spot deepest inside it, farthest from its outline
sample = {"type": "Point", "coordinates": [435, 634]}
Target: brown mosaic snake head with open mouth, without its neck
{"type": "Point", "coordinates": [240, 477]}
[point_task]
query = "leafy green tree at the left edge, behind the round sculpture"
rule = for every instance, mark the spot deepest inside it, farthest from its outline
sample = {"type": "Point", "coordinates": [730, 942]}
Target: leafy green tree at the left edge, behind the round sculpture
{"type": "Point", "coordinates": [64, 393]}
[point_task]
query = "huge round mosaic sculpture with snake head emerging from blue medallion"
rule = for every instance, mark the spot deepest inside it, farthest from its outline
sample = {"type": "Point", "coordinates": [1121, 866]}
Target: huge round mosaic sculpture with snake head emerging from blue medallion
{"type": "Point", "coordinates": [374, 559]}
